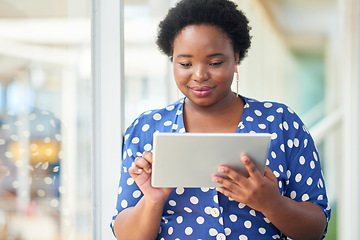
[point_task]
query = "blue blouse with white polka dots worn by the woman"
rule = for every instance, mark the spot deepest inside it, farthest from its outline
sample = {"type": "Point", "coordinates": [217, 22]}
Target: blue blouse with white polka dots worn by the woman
{"type": "Point", "coordinates": [204, 213]}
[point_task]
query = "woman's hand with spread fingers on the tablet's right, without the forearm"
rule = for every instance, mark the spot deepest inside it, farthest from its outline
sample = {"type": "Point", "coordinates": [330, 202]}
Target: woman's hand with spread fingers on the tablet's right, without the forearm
{"type": "Point", "coordinates": [257, 191]}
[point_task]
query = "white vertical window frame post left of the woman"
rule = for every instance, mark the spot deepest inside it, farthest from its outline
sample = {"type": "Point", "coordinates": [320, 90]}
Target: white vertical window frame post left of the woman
{"type": "Point", "coordinates": [107, 105]}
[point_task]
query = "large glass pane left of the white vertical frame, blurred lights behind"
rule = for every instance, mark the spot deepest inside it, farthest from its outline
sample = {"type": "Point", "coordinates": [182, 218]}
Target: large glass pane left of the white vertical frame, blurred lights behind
{"type": "Point", "coordinates": [45, 113]}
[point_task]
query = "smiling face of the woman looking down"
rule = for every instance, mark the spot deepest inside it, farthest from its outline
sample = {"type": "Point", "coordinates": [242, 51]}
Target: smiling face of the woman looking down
{"type": "Point", "coordinates": [203, 63]}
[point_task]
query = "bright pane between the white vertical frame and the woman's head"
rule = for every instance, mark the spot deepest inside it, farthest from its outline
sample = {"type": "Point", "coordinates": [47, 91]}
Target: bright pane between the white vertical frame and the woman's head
{"type": "Point", "coordinates": [148, 73]}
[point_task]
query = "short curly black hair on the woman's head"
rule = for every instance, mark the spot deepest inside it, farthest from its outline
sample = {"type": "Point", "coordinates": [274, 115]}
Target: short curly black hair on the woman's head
{"type": "Point", "coordinates": [219, 13]}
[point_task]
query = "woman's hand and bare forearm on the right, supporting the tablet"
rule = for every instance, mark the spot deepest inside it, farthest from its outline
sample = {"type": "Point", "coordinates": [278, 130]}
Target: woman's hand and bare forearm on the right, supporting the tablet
{"type": "Point", "coordinates": [297, 220]}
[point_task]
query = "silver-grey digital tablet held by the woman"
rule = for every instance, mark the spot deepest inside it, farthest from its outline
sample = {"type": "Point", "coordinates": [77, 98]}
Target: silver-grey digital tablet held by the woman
{"type": "Point", "coordinates": [190, 159]}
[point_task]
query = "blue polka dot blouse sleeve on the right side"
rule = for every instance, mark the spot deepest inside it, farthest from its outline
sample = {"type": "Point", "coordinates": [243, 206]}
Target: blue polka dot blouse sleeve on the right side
{"type": "Point", "coordinates": [305, 180]}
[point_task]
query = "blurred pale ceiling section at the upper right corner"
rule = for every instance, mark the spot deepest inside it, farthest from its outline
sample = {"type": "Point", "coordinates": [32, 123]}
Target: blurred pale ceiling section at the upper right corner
{"type": "Point", "coordinates": [304, 23]}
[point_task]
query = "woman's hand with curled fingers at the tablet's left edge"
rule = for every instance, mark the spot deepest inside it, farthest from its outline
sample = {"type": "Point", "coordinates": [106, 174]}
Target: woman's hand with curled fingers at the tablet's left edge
{"type": "Point", "coordinates": [141, 173]}
